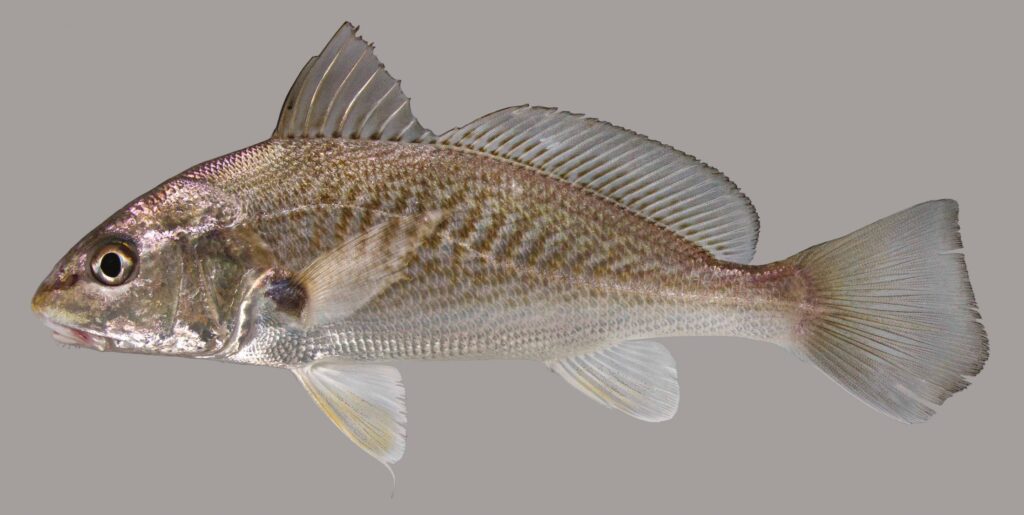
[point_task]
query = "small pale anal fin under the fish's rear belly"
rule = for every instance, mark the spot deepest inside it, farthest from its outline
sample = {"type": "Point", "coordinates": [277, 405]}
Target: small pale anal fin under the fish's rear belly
{"type": "Point", "coordinates": [637, 378]}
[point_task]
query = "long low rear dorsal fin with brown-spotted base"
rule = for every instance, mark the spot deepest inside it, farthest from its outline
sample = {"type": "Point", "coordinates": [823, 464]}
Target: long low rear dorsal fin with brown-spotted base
{"type": "Point", "coordinates": [651, 180]}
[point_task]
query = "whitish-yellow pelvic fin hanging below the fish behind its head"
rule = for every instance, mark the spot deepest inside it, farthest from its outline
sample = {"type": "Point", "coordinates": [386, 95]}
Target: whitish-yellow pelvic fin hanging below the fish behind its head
{"type": "Point", "coordinates": [366, 402]}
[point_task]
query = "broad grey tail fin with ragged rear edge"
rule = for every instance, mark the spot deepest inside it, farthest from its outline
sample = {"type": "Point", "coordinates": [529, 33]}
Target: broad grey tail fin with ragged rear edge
{"type": "Point", "coordinates": [893, 319]}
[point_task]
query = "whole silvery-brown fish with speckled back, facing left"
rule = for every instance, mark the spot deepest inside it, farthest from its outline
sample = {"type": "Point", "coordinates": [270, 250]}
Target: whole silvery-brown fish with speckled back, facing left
{"type": "Point", "coordinates": [355, 239]}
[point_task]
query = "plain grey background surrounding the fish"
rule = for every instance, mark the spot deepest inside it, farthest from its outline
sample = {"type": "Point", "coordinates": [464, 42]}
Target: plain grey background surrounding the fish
{"type": "Point", "coordinates": [829, 118]}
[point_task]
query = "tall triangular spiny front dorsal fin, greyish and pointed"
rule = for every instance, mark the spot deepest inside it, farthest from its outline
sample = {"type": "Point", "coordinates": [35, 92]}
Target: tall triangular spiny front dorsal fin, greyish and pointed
{"type": "Point", "coordinates": [346, 93]}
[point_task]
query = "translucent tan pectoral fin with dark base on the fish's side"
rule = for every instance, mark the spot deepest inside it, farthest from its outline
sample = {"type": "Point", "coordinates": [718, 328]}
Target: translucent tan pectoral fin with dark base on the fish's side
{"type": "Point", "coordinates": [340, 282]}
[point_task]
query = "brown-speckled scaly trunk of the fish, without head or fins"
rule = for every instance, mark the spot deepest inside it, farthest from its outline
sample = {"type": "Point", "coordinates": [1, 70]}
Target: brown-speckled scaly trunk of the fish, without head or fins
{"type": "Point", "coordinates": [520, 267]}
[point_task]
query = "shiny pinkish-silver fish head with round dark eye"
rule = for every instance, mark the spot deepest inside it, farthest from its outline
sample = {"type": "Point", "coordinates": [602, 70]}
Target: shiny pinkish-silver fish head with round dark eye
{"type": "Point", "coordinates": [144, 281]}
